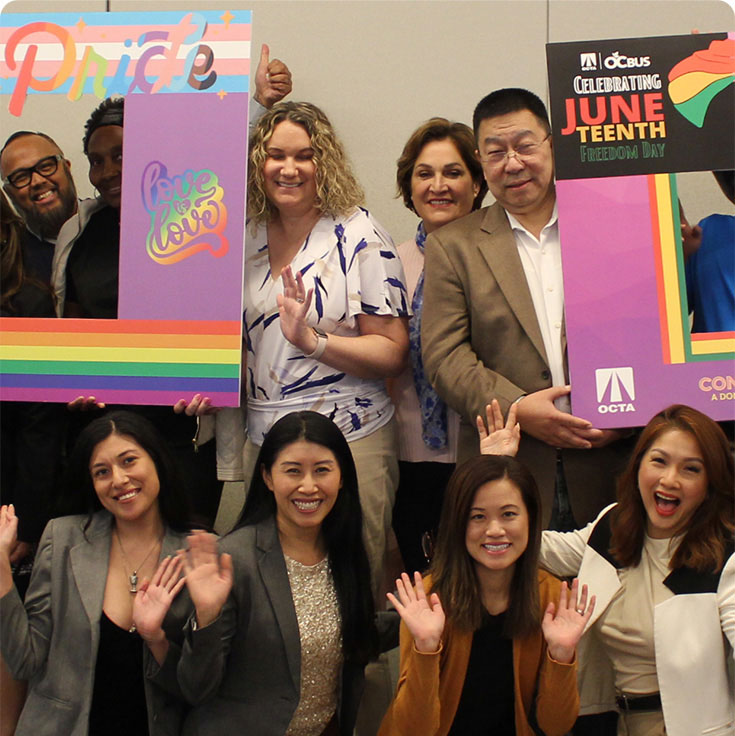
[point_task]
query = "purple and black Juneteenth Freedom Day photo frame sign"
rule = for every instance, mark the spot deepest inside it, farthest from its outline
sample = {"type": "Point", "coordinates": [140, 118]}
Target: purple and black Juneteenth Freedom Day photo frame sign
{"type": "Point", "coordinates": [627, 115]}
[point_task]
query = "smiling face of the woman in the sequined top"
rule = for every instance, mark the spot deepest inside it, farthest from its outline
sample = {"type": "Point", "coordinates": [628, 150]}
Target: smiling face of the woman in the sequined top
{"type": "Point", "coordinates": [305, 479]}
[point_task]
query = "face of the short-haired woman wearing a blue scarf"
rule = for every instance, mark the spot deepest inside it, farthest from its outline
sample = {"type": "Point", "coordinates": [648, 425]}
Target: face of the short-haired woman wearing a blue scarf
{"type": "Point", "coordinates": [441, 185]}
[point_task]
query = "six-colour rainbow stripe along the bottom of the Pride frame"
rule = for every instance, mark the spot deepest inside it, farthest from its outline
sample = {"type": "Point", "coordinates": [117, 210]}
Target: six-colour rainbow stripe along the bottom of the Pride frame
{"type": "Point", "coordinates": [120, 361]}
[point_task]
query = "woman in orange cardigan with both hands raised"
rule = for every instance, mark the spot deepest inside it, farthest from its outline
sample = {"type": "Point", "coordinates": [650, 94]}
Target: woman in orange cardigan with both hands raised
{"type": "Point", "coordinates": [487, 650]}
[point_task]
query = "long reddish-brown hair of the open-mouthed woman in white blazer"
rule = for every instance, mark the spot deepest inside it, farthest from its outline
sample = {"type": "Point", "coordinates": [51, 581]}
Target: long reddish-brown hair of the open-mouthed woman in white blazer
{"type": "Point", "coordinates": [712, 524]}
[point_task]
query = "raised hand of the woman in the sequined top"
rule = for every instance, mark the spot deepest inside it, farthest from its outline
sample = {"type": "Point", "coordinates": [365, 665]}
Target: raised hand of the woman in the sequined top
{"type": "Point", "coordinates": [208, 576]}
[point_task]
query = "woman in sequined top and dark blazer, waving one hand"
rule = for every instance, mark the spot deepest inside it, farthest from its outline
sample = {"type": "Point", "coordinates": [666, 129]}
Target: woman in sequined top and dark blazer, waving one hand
{"type": "Point", "coordinates": [284, 617]}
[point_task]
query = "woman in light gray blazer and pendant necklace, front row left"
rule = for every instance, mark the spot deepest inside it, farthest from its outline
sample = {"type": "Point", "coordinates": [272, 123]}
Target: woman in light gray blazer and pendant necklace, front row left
{"type": "Point", "coordinates": [98, 591]}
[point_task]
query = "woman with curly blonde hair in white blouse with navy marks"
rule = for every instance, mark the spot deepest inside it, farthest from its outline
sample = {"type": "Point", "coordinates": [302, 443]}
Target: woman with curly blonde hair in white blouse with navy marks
{"type": "Point", "coordinates": [325, 304]}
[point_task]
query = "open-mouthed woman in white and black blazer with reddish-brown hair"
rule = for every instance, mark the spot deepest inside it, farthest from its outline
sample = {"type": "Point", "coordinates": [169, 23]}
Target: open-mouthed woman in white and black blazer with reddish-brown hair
{"type": "Point", "coordinates": [662, 565]}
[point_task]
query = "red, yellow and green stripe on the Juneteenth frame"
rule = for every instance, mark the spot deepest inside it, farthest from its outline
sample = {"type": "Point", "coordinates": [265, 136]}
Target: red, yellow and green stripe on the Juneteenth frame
{"type": "Point", "coordinates": [678, 344]}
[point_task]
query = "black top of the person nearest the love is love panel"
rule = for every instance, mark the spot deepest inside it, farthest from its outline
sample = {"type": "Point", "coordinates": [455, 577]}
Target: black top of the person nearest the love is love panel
{"type": "Point", "coordinates": [94, 265]}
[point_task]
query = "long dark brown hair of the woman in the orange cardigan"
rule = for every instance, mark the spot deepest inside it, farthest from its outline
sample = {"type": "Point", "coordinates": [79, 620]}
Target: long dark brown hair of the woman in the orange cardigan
{"type": "Point", "coordinates": [453, 570]}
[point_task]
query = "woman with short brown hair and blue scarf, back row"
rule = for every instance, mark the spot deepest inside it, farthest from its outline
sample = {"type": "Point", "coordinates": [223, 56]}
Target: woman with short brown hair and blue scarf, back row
{"type": "Point", "coordinates": [440, 179]}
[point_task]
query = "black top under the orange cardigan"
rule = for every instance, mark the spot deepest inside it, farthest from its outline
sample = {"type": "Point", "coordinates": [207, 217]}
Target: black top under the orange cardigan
{"type": "Point", "coordinates": [487, 704]}
